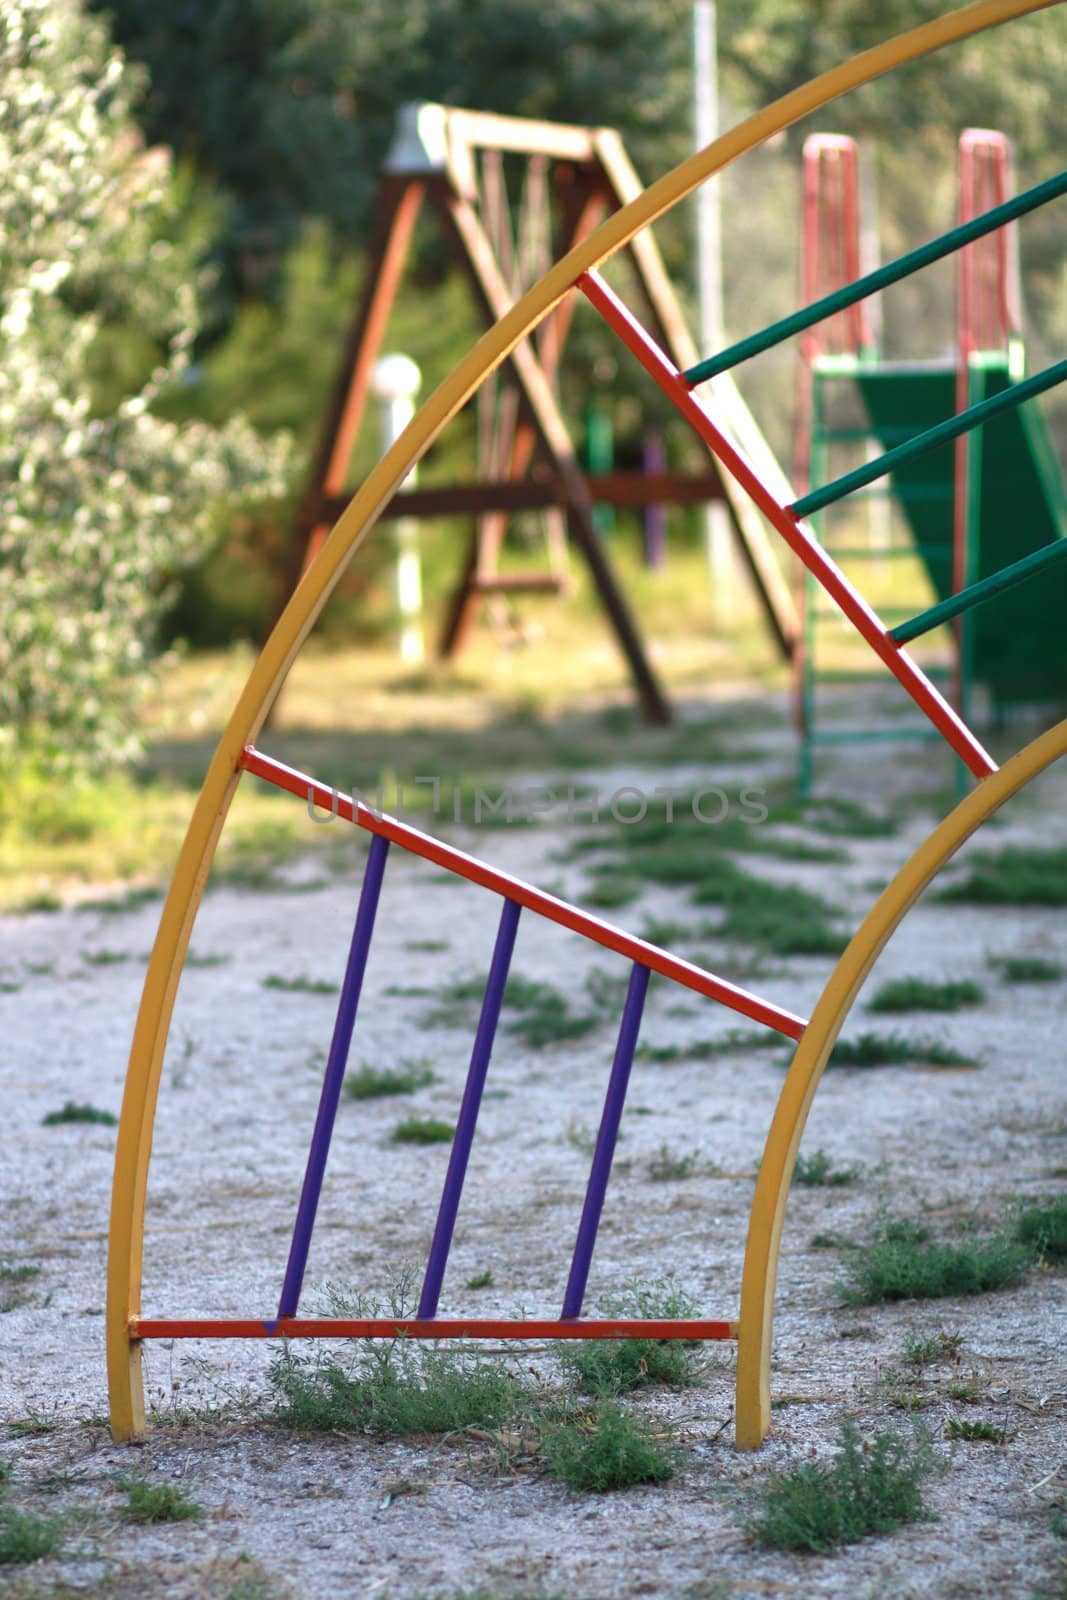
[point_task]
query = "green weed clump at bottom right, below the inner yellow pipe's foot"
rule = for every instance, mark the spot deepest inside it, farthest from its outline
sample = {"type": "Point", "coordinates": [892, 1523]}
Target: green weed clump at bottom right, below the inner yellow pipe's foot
{"type": "Point", "coordinates": [868, 1489]}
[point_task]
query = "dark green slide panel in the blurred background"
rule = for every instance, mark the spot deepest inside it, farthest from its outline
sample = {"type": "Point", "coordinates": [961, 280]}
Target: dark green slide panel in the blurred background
{"type": "Point", "coordinates": [1020, 639]}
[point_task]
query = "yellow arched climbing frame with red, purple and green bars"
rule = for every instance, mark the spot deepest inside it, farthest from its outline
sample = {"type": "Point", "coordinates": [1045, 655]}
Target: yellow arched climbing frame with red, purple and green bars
{"type": "Point", "coordinates": [238, 758]}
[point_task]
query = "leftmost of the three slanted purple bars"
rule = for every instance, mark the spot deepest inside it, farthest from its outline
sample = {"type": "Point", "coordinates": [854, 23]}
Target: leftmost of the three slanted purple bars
{"type": "Point", "coordinates": [334, 1078]}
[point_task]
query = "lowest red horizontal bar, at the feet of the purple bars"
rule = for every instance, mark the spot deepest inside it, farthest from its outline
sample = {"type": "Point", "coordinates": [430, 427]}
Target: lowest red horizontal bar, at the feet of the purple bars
{"type": "Point", "coordinates": [426, 1329]}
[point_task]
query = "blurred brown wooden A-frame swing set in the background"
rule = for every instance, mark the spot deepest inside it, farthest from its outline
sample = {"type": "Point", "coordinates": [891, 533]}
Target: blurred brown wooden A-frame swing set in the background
{"type": "Point", "coordinates": [527, 463]}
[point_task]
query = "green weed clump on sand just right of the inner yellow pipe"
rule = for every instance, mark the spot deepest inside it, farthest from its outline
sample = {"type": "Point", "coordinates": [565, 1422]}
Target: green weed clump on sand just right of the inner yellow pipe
{"type": "Point", "coordinates": [901, 1262]}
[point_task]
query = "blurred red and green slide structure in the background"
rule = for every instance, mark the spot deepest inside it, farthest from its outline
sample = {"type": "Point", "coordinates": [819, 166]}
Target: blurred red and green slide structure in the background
{"type": "Point", "coordinates": [970, 503]}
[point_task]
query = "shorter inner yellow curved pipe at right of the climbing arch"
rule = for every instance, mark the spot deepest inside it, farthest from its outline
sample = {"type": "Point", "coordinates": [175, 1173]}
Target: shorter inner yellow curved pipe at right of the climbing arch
{"type": "Point", "coordinates": [788, 1126]}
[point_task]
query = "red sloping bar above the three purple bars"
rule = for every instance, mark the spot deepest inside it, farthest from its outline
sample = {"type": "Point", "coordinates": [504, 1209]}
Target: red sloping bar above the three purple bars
{"type": "Point", "coordinates": [549, 906]}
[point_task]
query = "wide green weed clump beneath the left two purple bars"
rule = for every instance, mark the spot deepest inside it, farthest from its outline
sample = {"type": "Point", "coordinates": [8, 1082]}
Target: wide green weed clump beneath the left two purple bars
{"type": "Point", "coordinates": [394, 1391]}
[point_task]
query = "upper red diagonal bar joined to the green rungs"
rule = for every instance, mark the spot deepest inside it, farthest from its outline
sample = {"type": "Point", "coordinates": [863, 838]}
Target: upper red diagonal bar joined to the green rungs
{"type": "Point", "coordinates": [797, 537]}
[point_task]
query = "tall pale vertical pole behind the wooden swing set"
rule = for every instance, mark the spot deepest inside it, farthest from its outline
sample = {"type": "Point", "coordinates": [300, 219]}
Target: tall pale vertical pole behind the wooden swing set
{"type": "Point", "coordinates": [709, 281]}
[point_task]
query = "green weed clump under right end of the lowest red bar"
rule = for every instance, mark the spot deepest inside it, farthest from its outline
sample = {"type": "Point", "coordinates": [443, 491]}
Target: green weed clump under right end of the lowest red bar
{"type": "Point", "coordinates": [613, 1367]}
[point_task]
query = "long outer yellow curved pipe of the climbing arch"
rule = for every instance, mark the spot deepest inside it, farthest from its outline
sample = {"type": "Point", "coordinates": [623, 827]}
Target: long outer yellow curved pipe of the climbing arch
{"type": "Point", "coordinates": [150, 1041]}
